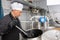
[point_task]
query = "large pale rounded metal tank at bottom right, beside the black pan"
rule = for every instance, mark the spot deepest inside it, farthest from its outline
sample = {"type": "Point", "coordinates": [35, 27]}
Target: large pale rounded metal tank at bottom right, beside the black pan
{"type": "Point", "coordinates": [51, 35]}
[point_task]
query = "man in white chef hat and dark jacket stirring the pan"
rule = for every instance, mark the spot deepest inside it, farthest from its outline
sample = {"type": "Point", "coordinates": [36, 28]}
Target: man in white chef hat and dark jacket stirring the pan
{"type": "Point", "coordinates": [7, 24]}
